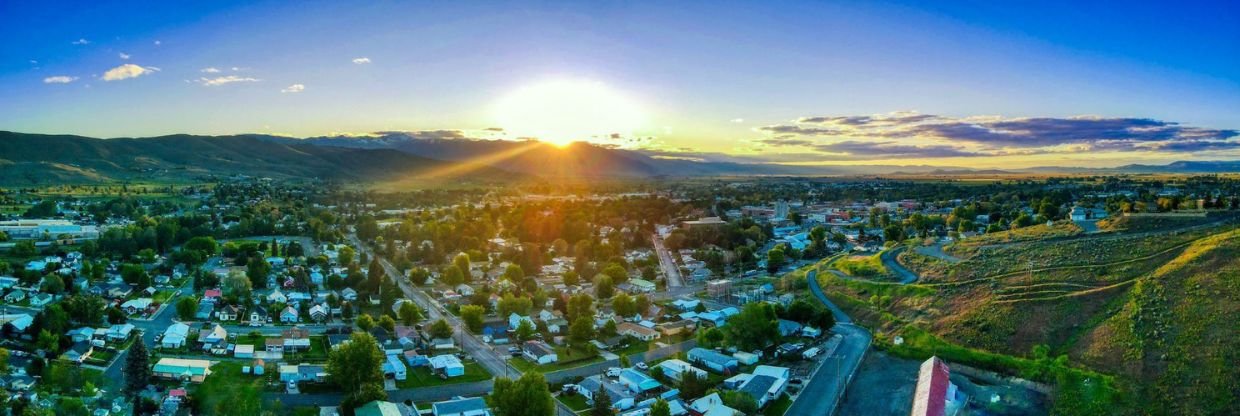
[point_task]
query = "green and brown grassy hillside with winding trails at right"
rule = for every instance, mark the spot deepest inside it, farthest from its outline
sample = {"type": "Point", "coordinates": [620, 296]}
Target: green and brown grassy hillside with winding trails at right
{"type": "Point", "coordinates": [1144, 322]}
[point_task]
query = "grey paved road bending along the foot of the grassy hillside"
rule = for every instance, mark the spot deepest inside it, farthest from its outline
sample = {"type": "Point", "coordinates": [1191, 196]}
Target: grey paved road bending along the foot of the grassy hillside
{"type": "Point", "coordinates": [825, 389]}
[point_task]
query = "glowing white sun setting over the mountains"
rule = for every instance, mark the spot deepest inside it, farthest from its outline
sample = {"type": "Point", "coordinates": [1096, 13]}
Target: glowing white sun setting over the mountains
{"type": "Point", "coordinates": [565, 111]}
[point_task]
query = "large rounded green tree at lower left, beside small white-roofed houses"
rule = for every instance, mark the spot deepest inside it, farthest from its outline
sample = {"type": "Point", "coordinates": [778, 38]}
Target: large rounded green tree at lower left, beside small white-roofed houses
{"type": "Point", "coordinates": [356, 364]}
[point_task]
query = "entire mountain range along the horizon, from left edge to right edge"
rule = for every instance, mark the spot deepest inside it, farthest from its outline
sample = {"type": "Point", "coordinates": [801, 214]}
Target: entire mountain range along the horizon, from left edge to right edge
{"type": "Point", "coordinates": [32, 160]}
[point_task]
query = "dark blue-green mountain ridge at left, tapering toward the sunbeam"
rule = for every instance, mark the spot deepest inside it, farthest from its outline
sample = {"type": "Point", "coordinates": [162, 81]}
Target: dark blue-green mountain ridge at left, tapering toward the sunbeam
{"type": "Point", "coordinates": [32, 160]}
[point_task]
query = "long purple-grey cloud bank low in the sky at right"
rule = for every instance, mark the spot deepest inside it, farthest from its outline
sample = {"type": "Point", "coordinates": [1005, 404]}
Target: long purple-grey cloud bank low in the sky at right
{"type": "Point", "coordinates": [911, 135]}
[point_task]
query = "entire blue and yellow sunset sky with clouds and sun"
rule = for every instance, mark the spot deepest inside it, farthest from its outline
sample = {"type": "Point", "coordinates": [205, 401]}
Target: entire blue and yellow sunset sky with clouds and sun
{"type": "Point", "coordinates": [954, 84]}
